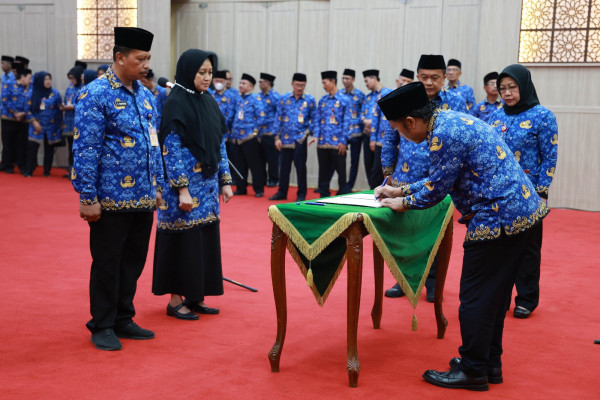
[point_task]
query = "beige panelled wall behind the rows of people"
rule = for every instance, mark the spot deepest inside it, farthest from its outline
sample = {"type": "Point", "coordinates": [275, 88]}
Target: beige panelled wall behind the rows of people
{"type": "Point", "coordinates": [282, 37]}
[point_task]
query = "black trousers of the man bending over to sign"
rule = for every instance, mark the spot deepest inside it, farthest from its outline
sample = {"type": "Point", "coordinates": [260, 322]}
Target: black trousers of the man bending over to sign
{"type": "Point", "coordinates": [488, 275]}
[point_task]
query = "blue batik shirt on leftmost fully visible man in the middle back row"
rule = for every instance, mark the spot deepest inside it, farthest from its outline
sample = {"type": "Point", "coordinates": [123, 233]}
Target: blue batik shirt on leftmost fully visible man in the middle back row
{"type": "Point", "coordinates": [247, 118]}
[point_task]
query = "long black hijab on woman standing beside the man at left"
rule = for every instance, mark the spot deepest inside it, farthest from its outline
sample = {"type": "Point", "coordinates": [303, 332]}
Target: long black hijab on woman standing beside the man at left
{"type": "Point", "coordinates": [194, 116]}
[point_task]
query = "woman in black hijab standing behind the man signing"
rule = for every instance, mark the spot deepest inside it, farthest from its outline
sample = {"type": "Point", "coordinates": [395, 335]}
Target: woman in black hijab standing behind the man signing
{"type": "Point", "coordinates": [530, 131]}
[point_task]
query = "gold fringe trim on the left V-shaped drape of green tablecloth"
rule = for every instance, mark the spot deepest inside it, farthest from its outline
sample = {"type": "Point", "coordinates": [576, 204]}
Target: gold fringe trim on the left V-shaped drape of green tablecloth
{"type": "Point", "coordinates": [310, 251]}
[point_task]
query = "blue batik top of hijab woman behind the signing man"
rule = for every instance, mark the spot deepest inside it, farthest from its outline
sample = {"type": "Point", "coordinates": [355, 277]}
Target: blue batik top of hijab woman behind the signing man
{"type": "Point", "coordinates": [532, 137]}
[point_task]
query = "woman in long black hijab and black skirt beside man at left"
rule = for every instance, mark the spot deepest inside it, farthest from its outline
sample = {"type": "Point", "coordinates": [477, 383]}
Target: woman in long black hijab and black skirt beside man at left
{"type": "Point", "coordinates": [187, 256]}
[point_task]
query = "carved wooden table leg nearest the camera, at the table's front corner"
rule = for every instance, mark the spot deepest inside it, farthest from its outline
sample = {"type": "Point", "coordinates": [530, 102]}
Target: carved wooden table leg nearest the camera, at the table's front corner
{"type": "Point", "coordinates": [354, 257]}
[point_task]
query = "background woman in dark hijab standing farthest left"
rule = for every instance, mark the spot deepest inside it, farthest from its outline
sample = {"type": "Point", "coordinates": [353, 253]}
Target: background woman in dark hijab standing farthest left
{"type": "Point", "coordinates": [46, 116]}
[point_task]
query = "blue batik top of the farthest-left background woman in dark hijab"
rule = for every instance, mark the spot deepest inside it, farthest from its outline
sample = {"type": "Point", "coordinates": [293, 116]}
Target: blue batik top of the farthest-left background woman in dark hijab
{"type": "Point", "coordinates": [50, 117]}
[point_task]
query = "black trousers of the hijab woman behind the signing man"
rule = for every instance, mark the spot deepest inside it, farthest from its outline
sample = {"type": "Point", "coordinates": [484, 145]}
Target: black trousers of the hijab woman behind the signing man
{"type": "Point", "coordinates": [528, 277]}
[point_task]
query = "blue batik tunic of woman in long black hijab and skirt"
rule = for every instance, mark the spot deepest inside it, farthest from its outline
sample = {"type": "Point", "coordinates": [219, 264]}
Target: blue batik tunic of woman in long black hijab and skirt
{"type": "Point", "coordinates": [183, 170]}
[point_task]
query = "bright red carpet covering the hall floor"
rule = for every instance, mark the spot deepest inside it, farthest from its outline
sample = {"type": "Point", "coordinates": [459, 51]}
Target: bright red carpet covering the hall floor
{"type": "Point", "coordinates": [45, 349]}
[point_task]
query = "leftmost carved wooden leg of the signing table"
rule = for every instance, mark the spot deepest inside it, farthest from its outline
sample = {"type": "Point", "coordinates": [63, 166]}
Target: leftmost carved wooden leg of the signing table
{"type": "Point", "coordinates": [278, 245]}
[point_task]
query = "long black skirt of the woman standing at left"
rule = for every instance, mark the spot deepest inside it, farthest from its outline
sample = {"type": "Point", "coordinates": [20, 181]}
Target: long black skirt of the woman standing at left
{"type": "Point", "coordinates": [188, 263]}
